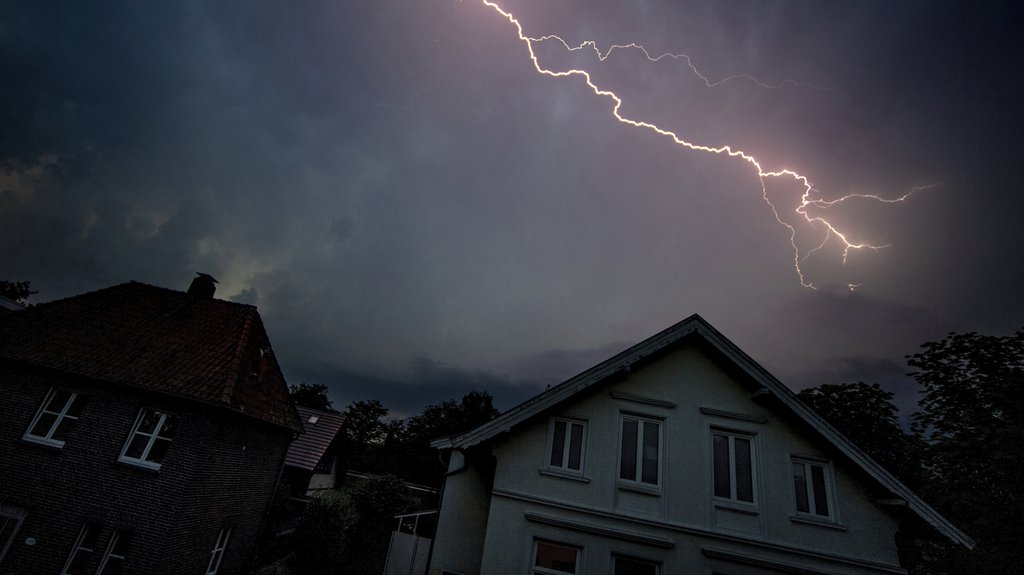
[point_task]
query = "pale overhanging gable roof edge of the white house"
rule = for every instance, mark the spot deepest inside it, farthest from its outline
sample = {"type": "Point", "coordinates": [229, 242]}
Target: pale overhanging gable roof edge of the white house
{"type": "Point", "coordinates": [687, 330]}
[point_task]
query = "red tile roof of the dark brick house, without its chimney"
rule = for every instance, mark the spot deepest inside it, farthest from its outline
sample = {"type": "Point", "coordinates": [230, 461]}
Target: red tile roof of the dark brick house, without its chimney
{"type": "Point", "coordinates": [203, 349]}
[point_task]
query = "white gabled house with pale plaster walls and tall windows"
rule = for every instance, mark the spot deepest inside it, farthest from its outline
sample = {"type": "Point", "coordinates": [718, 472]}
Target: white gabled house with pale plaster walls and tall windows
{"type": "Point", "coordinates": [680, 455]}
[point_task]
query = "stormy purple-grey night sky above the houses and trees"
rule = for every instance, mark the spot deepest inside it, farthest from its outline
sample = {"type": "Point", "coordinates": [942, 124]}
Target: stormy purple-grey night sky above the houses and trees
{"type": "Point", "coordinates": [417, 212]}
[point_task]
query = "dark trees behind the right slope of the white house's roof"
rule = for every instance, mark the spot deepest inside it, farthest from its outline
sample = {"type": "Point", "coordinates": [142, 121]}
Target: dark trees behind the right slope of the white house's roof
{"type": "Point", "coordinates": [964, 452]}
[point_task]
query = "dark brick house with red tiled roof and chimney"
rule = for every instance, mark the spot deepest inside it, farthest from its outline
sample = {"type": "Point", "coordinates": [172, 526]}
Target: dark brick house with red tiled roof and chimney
{"type": "Point", "coordinates": [143, 430]}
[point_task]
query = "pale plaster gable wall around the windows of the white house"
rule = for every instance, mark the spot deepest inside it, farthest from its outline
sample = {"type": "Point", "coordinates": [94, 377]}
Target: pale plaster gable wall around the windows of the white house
{"type": "Point", "coordinates": [691, 380]}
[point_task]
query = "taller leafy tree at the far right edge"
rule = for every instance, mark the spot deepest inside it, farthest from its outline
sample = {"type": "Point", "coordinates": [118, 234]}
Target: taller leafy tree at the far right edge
{"type": "Point", "coordinates": [972, 420]}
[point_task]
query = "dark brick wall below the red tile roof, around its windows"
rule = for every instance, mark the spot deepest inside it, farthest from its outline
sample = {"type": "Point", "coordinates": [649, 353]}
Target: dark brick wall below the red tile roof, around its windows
{"type": "Point", "coordinates": [221, 470]}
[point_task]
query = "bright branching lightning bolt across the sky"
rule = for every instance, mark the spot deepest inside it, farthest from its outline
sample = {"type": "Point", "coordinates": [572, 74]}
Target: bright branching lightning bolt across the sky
{"type": "Point", "coordinates": [810, 198]}
